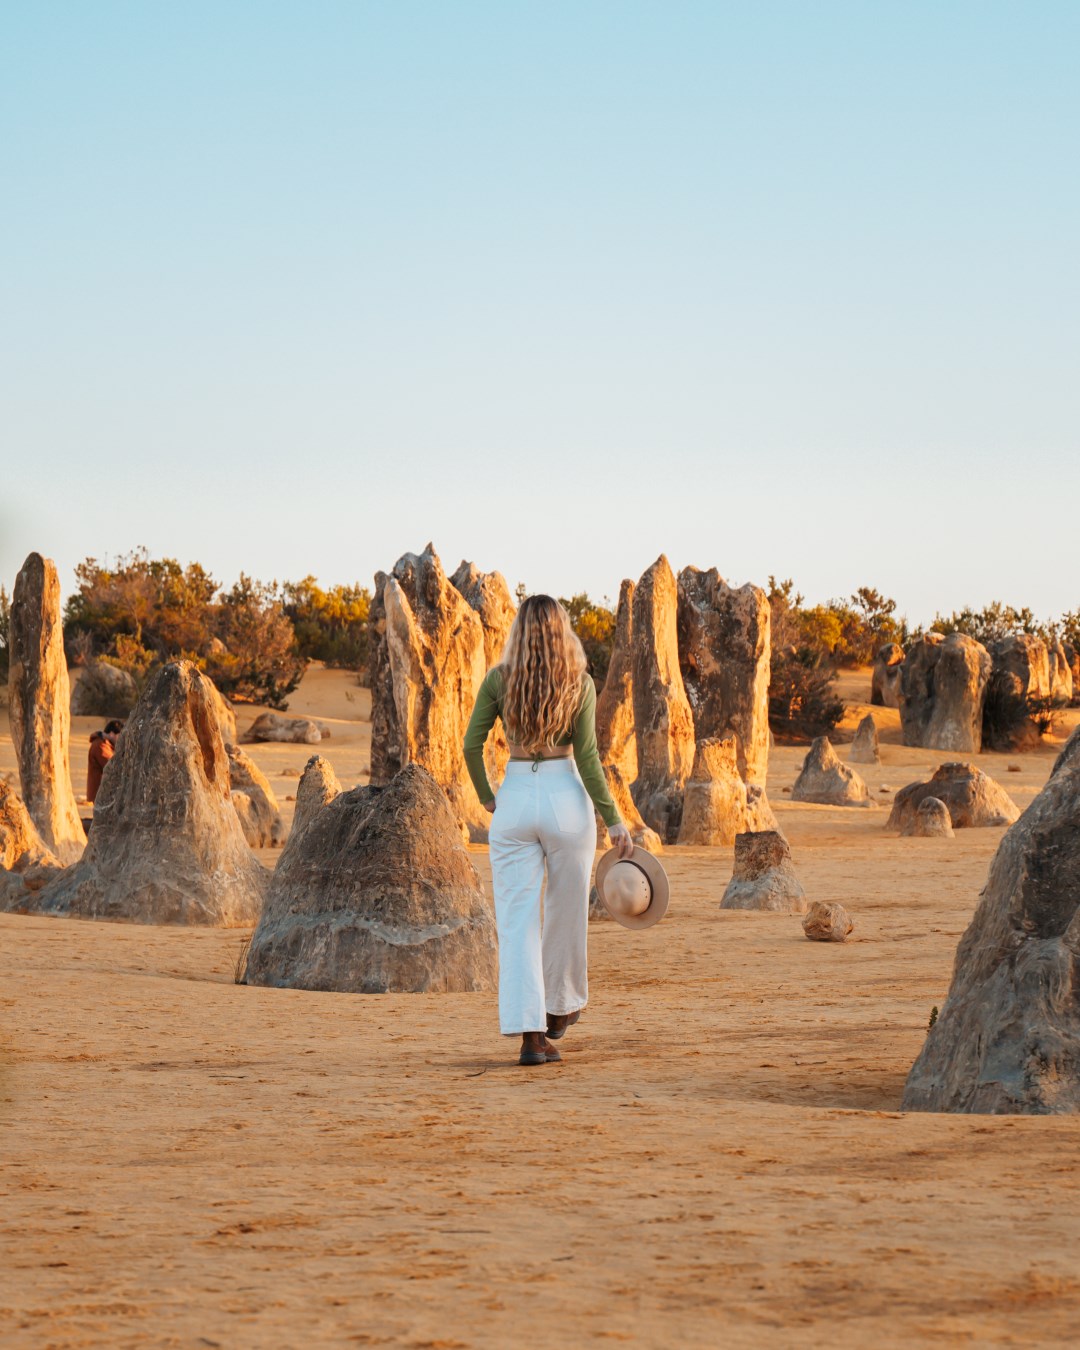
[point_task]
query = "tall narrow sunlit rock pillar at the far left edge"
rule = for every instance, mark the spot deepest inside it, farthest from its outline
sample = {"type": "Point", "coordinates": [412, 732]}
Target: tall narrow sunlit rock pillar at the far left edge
{"type": "Point", "coordinates": [40, 704]}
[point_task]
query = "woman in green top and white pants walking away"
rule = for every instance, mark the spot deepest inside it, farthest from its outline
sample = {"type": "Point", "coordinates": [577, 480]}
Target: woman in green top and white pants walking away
{"type": "Point", "coordinates": [543, 816]}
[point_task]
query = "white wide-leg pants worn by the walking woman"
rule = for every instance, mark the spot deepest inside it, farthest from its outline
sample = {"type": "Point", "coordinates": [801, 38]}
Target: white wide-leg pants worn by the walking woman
{"type": "Point", "coordinates": [543, 815]}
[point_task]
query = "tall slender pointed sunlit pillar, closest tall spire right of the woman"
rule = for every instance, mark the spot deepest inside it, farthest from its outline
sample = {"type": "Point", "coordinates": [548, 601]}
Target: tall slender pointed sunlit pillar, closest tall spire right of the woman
{"type": "Point", "coordinates": [662, 718]}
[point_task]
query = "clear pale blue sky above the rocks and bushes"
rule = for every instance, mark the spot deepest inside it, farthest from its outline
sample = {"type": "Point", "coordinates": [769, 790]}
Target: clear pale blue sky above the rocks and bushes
{"type": "Point", "coordinates": [780, 288]}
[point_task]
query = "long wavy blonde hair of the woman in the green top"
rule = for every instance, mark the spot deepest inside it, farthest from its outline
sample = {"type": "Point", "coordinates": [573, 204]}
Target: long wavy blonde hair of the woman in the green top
{"type": "Point", "coordinates": [543, 666]}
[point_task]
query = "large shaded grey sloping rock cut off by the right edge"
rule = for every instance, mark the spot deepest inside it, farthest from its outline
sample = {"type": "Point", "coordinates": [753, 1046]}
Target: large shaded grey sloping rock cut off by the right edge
{"type": "Point", "coordinates": [1009, 1035]}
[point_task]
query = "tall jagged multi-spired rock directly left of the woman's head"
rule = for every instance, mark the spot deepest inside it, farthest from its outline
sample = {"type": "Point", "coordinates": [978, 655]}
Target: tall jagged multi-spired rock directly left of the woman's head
{"type": "Point", "coordinates": [429, 662]}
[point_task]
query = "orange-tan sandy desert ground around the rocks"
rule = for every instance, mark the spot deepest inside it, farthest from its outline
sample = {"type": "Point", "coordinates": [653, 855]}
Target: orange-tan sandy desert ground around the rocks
{"type": "Point", "coordinates": [719, 1162]}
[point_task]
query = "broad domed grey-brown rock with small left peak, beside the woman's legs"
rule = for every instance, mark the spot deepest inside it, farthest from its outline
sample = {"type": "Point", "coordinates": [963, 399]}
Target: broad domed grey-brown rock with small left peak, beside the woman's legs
{"type": "Point", "coordinates": [375, 894]}
